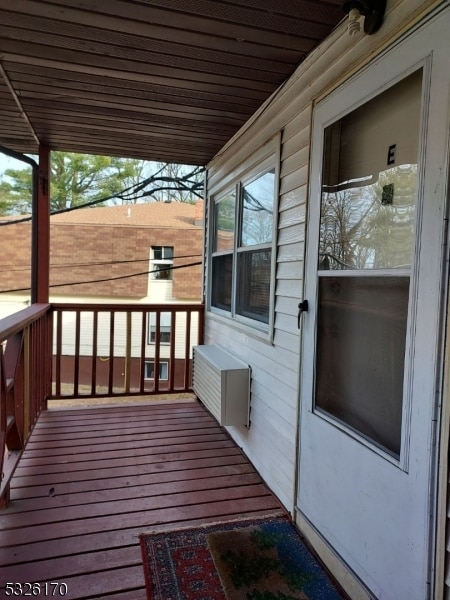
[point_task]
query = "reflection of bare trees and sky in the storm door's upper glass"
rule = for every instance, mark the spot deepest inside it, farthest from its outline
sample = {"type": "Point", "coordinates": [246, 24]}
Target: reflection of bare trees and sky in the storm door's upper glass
{"type": "Point", "coordinates": [360, 230]}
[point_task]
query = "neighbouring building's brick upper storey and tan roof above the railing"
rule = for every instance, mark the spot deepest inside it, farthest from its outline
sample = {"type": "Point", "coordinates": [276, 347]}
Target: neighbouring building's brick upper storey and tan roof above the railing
{"type": "Point", "coordinates": [106, 252]}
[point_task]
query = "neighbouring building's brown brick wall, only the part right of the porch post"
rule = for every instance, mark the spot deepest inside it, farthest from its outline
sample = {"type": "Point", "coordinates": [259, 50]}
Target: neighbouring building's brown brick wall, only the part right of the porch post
{"type": "Point", "coordinates": [126, 250]}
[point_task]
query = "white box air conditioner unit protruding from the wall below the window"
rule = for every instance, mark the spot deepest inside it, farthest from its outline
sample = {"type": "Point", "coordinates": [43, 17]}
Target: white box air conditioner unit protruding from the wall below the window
{"type": "Point", "coordinates": [222, 384]}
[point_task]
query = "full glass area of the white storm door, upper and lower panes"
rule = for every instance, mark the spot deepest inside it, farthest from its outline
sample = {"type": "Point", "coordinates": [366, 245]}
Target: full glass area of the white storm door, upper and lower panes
{"type": "Point", "coordinates": [367, 221]}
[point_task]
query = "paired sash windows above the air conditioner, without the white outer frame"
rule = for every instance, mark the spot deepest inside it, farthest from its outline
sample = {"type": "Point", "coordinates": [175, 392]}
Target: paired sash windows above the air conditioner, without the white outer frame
{"type": "Point", "coordinates": [241, 272]}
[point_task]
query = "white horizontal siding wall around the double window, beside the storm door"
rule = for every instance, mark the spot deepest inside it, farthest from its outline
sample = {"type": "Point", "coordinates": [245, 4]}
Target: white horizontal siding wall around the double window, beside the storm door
{"type": "Point", "coordinates": [271, 441]}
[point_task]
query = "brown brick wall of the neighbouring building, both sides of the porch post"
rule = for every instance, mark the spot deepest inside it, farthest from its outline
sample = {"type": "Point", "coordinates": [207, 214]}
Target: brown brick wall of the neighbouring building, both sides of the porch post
{"type": "Point", "coordinates": [104, 256]}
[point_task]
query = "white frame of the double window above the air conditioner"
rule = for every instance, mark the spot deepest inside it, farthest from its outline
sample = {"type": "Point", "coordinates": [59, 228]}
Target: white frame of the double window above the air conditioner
{"type": "Point", "coordinates": [264, 161]}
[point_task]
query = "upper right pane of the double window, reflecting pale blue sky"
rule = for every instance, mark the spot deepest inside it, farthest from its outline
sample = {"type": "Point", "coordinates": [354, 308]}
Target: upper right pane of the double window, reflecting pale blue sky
{"type": "Point", "coordinates": [257, 210]}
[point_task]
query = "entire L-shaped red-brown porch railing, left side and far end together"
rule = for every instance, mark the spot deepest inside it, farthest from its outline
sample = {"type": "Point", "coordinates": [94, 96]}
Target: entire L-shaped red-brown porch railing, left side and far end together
{"type": "Point", "coordinates": [75, 351]}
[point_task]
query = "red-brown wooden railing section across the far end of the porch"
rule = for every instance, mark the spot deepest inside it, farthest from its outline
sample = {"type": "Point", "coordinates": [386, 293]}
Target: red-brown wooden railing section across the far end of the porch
{"type": "Point", "coordinates": [124, 349]}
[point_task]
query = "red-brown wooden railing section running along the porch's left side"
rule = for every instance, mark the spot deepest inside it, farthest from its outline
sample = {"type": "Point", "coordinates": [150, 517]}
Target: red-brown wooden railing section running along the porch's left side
{"type": "Point", "coordinates": [25, 383]}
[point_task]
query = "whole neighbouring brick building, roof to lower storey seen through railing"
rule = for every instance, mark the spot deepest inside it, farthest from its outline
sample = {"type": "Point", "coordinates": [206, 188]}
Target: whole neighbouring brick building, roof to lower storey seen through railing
{"type": "Point", "coordinates": [144, 253]}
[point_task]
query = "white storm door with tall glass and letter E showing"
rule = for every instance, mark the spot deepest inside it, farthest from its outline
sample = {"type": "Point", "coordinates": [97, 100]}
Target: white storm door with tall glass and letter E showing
{"type": "Point", "coordinates": [370, 353]}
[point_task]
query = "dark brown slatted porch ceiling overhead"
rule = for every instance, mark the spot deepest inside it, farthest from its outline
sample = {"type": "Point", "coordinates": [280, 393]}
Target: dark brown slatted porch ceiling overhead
{"type": "Point", "coordinates": [167, 80]}
